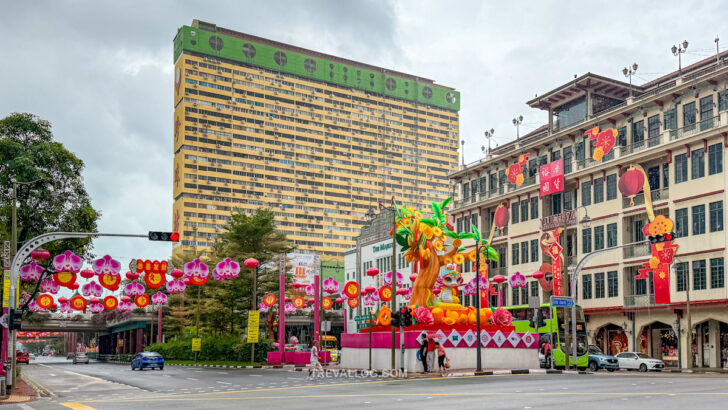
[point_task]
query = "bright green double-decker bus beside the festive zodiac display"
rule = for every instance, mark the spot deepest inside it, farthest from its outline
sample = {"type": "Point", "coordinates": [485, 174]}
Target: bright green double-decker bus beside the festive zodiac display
{"type": "Point", "coordinates": [522, 320]}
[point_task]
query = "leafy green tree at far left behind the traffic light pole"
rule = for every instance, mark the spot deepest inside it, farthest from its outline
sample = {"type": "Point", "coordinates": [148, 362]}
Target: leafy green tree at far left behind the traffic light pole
{"type": "Point", "coordinates": [58, 201]}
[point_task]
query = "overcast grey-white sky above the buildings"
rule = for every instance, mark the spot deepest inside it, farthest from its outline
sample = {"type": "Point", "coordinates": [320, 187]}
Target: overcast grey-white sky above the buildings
{"type": "Point", "coordinates": [101, 71]}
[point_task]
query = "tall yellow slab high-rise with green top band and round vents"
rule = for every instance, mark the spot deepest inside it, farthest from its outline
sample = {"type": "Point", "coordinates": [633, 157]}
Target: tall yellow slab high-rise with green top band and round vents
{"type": "Point", "coordinates": [317, 138]}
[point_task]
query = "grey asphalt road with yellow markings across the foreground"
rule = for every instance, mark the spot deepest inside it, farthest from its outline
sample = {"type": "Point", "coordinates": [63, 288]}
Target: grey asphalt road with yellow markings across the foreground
{"type": "Point", "coordinates": [110, 386]}
